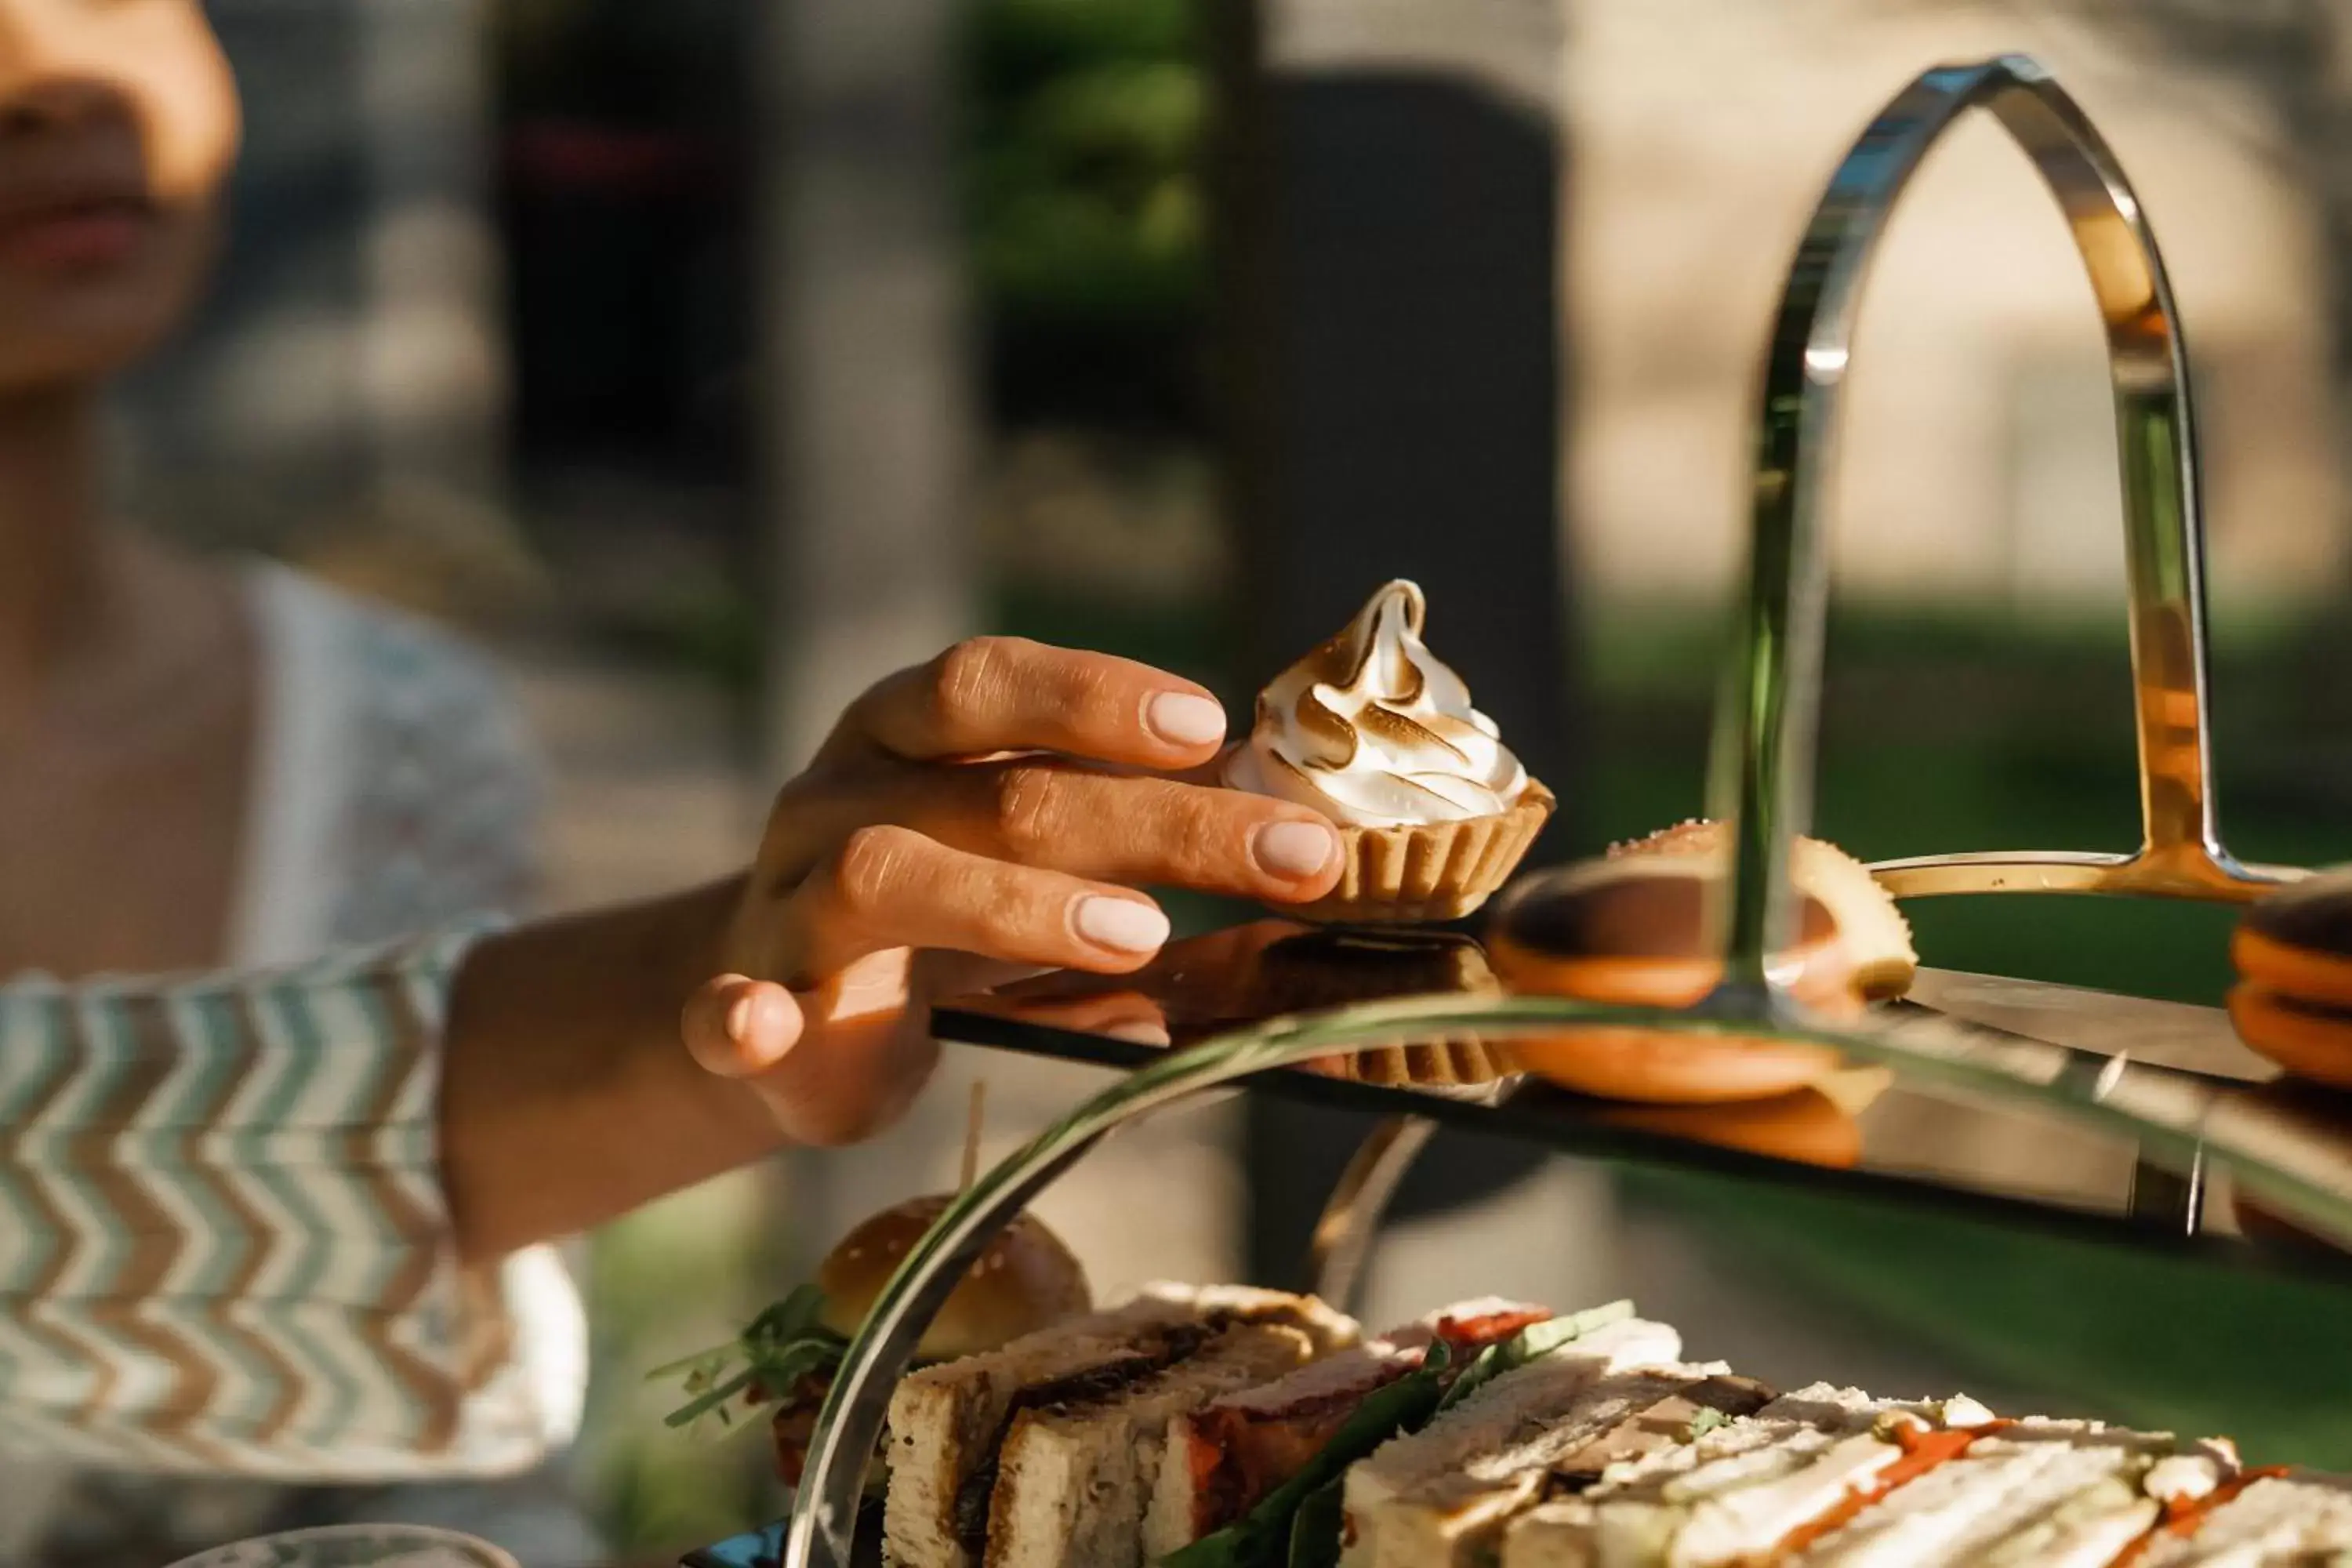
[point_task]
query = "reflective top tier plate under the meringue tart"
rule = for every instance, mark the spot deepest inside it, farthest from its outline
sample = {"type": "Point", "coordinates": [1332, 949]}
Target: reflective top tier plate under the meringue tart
{"type": "Point", "coordinates": [2026, 1104]}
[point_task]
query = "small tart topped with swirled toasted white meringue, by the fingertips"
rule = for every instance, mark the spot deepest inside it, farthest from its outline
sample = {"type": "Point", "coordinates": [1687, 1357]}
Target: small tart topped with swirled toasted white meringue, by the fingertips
{"type": "Point", "coordinates": [1379, 735]}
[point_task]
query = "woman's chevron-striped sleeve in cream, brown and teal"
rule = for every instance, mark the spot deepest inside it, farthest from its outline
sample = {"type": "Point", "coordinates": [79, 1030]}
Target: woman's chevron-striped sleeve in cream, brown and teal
{"type": "Point", "coordinates": [225, 1245]}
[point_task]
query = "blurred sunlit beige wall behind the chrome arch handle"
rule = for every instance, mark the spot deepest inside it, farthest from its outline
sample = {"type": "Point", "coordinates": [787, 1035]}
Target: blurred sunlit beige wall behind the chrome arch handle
{"type": "Point", "coordinates": [1977, 453]}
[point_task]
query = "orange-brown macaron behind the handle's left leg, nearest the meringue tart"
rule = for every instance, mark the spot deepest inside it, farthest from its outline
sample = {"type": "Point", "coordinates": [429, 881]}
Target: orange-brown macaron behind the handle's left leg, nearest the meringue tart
{"type": "Point", "coordinates": [1636, 930]}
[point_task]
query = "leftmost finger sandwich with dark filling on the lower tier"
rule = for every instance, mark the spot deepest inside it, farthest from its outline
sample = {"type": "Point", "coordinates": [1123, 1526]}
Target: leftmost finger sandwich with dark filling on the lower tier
{"type": "Point", "coordinates": [1045, 1452]}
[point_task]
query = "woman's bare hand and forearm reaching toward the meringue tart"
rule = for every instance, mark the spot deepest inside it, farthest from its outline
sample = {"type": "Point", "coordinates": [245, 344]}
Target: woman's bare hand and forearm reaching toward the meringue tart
{"type": "Point", "coordinates": [996, 803]}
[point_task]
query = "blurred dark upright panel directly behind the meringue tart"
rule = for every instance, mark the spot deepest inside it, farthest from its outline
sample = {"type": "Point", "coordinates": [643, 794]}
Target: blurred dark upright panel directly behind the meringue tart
{"type": "Point", "coordinates": [1394, 349]}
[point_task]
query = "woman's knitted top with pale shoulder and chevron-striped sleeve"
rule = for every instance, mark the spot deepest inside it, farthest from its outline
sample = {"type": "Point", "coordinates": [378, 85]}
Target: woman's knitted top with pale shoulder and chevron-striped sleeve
{"type": "Point", "coordinates": [227, 1301]}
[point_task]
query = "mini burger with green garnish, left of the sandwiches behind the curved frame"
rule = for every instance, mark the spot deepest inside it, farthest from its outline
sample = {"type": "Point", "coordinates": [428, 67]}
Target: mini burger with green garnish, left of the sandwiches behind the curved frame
{"type": "Point", "coordinates": [784, 1362]}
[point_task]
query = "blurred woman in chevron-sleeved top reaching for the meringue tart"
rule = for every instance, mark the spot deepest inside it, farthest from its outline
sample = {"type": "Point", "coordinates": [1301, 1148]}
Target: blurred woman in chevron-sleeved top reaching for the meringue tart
{"type": "Point", "coordinates": [276, 1228]}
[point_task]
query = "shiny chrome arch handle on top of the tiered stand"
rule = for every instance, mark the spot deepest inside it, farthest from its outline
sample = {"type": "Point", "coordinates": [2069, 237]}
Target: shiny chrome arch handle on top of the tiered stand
{"type": "Point", "coordinates": [1768, 721]}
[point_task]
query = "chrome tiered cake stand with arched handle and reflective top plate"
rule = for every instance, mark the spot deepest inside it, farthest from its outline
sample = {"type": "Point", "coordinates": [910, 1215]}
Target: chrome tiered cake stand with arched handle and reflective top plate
{"type": "Point", "coordinates": [2170, 1085]}
